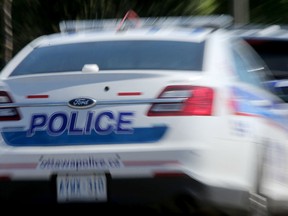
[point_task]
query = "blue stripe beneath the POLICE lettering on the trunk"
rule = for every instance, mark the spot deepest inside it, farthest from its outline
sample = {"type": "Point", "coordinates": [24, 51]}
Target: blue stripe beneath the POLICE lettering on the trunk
{"type": "Point", "coordinates": [41, 138]}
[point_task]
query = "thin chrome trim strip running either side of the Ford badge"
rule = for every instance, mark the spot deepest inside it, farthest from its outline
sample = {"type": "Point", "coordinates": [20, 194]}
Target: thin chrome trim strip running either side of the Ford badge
{"type": "Point", "coordinates": [103, 102]}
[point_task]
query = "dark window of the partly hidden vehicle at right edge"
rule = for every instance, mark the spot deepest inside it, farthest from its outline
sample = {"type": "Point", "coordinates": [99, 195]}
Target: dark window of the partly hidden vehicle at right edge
{"type": "Point", "coordinates": [274, 53]}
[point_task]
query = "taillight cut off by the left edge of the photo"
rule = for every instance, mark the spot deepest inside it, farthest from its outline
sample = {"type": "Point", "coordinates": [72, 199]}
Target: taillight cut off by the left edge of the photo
{"type": "Point", "coordinates": [7, 113]}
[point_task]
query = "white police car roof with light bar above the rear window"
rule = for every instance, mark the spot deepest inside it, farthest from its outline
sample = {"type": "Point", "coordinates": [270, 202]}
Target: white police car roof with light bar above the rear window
{"type": "Point", "coordinates": [192, 28]}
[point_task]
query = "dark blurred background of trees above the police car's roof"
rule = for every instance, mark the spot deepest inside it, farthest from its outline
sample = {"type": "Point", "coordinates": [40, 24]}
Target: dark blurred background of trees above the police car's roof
{"type": "Point", "coordinates": [21, 21]}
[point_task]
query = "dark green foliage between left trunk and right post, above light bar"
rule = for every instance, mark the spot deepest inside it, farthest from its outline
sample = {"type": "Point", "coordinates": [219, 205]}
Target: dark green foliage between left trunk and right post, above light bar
{"type": "Point", "coordinates": [32, 18]}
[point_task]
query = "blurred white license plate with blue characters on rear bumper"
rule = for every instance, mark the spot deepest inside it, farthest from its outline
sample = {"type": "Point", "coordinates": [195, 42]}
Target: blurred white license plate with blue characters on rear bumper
{"type": "Point", "coordinates": [71, 188]}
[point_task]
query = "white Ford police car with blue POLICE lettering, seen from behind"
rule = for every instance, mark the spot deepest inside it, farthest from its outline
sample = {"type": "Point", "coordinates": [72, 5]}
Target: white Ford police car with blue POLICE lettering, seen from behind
{"type": "Point", "coordinates": [162, 113]}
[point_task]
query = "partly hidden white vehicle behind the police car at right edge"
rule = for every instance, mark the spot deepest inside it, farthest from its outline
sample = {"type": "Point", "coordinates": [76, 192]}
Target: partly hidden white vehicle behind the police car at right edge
{"type": "Point", "coordinates": [271, 44]}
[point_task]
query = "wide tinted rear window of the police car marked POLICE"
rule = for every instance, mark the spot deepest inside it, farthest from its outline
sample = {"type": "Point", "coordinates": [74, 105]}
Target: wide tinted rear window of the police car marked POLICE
{"type": "Point", "coordinates": [114, 55]}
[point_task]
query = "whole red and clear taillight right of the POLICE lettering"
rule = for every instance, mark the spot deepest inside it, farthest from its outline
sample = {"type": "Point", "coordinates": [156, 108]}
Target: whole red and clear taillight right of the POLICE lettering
{"type": "Point", "coordinates": [198, 100]}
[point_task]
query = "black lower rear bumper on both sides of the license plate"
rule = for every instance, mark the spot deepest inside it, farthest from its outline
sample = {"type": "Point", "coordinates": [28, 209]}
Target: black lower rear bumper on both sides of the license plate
{"type": "Point", "coordinates": [134, 191]}
